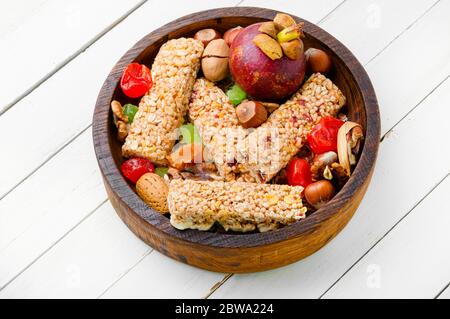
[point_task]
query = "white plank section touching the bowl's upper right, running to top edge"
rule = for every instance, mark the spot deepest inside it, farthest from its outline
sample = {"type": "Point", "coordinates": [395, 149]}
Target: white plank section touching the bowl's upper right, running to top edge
{"type": "Point", "coordinates": [373, 24]}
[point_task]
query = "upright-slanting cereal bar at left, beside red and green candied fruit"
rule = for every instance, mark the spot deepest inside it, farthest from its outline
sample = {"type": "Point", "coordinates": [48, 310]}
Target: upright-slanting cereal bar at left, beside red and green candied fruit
{"type": "Point", "coordinates": [153, 131]}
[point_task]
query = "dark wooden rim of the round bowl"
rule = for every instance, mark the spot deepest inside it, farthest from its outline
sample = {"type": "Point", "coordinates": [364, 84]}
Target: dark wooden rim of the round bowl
{"type": "Point", "coordinates": [127, 195]}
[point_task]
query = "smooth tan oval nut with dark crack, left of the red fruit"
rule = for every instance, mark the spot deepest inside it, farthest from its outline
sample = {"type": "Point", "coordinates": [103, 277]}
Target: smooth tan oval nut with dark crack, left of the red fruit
{"type": "Point", "coordinates": [215, 60]}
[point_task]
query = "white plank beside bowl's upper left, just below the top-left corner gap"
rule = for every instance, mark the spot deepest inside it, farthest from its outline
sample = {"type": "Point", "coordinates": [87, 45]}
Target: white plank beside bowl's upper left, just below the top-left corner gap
{"type": "Point", "coordinates": [62, 106]}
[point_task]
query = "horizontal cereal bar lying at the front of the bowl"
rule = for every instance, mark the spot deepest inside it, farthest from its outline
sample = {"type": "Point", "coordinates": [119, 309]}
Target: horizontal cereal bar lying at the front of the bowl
{"type": "Point", "coordinates": [237, 206]}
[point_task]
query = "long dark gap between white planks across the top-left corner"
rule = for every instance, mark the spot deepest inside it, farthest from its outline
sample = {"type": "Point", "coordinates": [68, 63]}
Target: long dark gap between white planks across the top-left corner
{"type": "Point", "coordinates": [70, 58]}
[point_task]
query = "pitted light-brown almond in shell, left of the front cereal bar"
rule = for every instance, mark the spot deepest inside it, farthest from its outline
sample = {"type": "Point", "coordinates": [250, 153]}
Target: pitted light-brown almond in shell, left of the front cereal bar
{"type": "Point", "coordinates": [153, 190]}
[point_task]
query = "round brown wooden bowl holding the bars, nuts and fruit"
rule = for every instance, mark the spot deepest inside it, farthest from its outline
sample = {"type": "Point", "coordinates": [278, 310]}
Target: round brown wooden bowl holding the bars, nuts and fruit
{"type": "Point", "coordinates": [225, 252]}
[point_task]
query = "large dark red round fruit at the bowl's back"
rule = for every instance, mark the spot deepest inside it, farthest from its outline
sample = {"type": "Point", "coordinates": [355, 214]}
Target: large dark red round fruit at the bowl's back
{"type": "Point", "coordinates": [262, 78]}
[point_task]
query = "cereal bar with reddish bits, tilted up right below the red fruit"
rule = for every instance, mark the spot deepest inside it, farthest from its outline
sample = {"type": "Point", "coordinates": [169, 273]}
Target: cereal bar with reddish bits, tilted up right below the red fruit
{"type": "Point", "coordinates": [272, 145]}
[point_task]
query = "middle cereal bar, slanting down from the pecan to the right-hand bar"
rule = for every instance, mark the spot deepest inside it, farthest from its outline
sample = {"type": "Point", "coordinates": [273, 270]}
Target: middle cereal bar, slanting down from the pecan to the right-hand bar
{"type": "Point", "coordinates": [212, 113]}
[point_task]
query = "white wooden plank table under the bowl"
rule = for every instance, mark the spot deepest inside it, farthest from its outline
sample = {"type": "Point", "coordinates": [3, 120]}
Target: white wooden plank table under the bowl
{"type": "Point", "coordinates": [59, 235]}
